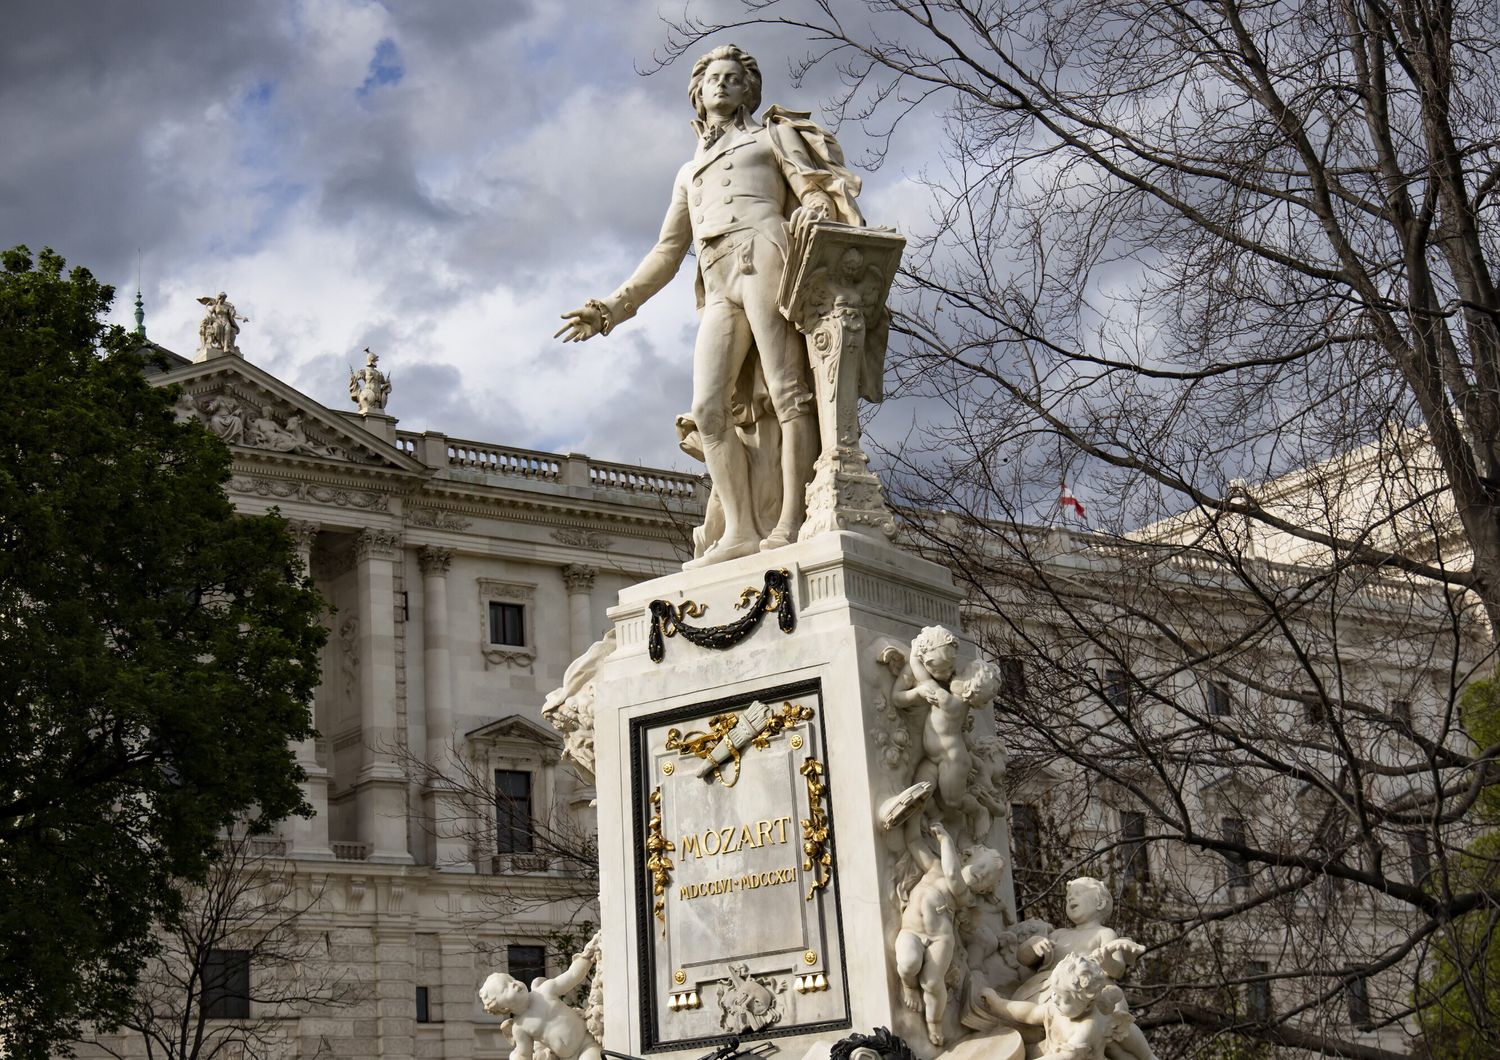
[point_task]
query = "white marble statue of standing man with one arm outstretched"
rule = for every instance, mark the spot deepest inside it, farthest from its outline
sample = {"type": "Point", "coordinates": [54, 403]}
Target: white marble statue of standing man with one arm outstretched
{"type": "Point", "coordinates": [737, 202]}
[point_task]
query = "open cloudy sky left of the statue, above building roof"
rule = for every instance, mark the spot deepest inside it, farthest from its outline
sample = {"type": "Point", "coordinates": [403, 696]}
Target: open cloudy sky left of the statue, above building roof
{"type": "Point", "coordinates": [437, 181]}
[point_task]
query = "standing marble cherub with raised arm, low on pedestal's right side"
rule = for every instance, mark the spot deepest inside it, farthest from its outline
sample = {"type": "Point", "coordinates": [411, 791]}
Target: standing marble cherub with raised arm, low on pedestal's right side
{"type": "Point", "coordinates": [929, 936]}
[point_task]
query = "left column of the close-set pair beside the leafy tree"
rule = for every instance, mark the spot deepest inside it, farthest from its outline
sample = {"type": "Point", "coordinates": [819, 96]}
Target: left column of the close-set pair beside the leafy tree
{"type": "Point", "coordinates": [382, 801]}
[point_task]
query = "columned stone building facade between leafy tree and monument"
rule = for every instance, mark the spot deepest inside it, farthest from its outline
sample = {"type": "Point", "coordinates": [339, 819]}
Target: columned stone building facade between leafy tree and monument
{"type": "Point", "coordinates": [463, 579]}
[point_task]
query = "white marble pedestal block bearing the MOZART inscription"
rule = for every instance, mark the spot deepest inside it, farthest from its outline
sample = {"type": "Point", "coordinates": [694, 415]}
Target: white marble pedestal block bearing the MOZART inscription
{"type": "Point", "coordinates": [758, 896]}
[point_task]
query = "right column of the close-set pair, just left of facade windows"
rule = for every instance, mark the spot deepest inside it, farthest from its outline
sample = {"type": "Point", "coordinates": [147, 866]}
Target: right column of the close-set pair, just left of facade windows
{"type": "Point", "coordinates": [442, 806]}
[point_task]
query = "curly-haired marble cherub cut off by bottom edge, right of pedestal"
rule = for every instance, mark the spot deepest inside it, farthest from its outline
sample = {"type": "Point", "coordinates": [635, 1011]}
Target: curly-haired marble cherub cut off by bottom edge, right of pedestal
{"type": "Point", "coordinates": [1084, 1017]}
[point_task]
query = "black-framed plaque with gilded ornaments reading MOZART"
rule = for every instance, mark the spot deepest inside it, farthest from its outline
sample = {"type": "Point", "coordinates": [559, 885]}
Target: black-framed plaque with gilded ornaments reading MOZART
{"type": "Point", "coordinates": [740, 930]}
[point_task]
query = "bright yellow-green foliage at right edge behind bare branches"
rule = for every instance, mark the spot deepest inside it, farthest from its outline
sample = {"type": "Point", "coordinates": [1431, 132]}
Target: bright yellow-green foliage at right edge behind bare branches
{"type": "Point", "coordinates": [1463, 977]}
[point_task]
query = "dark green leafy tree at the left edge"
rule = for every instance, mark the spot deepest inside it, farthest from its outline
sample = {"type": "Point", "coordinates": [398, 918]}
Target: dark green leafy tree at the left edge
{"type": "Point", "coordinates": [157, 656]}
